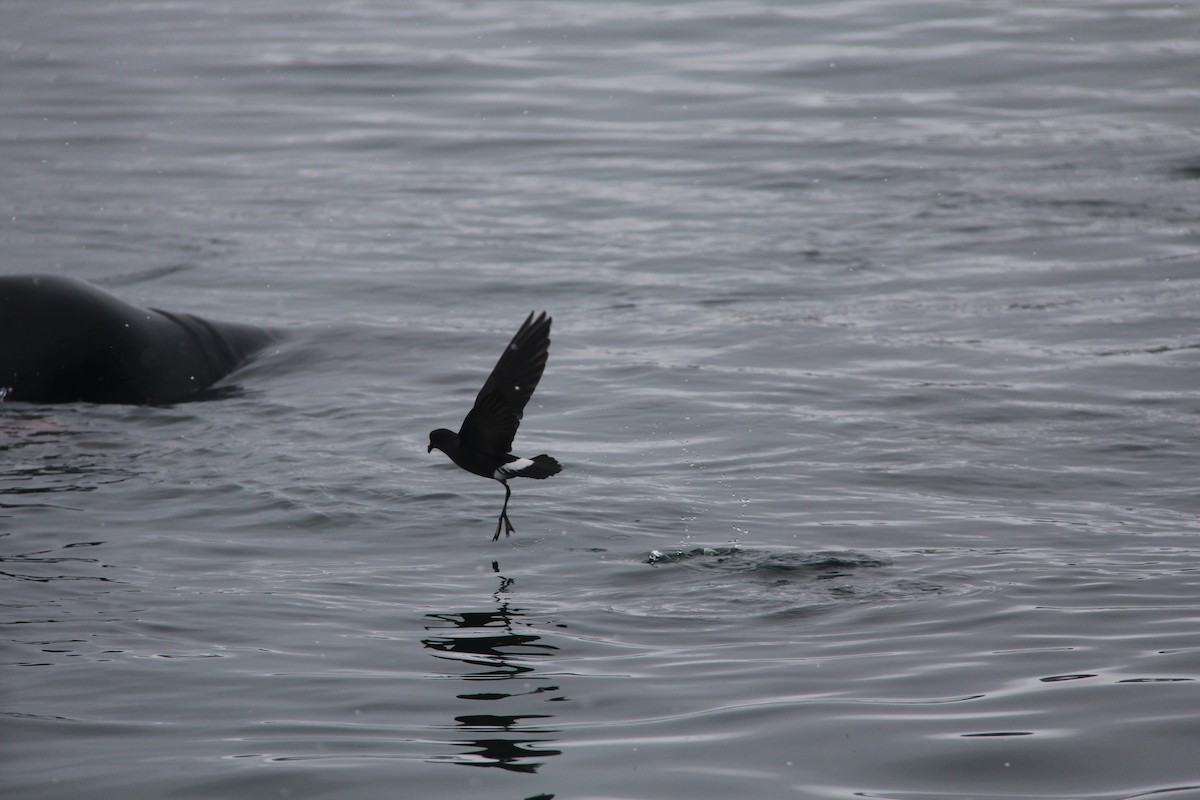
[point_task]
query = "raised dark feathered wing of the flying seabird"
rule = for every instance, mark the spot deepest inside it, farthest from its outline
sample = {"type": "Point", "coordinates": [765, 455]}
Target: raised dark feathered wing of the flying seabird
{"type": "Point", "coordinates": [494, 422]}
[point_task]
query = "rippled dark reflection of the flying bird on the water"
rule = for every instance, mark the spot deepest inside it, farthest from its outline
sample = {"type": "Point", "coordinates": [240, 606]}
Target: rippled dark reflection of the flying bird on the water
{"type": "Point", "coordinates": [500, 646]}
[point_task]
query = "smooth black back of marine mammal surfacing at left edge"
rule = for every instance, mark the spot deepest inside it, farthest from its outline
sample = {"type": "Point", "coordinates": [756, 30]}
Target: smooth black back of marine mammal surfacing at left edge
{"type": "Point", "coordinates": [63, 341]}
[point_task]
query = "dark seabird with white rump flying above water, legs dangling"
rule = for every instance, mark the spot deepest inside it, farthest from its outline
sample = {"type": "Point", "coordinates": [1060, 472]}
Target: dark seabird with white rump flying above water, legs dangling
{"type": "Point", "coordinates": [485, 438]}
